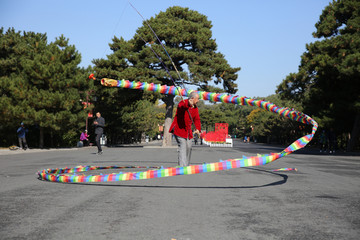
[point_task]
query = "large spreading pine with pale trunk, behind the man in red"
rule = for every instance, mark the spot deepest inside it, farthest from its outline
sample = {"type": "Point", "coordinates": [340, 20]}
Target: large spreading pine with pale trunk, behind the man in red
{"type": "Point", "coordinates": [187, 37]}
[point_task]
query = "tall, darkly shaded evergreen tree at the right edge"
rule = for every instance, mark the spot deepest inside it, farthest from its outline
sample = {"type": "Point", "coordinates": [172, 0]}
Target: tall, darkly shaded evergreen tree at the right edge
{"type": "Point", "coordinates": [328, 81]}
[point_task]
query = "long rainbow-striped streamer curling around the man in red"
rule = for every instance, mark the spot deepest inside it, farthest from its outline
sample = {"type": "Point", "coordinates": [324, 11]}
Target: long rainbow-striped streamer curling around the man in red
{"type": "Point", "coordinates": [60, 174]}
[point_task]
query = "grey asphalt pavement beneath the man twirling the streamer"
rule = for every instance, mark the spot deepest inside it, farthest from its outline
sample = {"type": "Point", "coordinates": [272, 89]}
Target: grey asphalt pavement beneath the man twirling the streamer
{"type": "Point", "coordinates": [320, 201]}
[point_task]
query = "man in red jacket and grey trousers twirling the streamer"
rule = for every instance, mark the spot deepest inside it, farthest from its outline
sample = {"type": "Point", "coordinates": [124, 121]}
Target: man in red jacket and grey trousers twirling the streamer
{"type": "Point", "coordinates": [181, 127]}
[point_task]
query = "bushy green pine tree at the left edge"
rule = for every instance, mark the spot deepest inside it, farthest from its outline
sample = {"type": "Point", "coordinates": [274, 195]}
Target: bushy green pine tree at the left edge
{"type": "Point", "coordinates": [40, 85]}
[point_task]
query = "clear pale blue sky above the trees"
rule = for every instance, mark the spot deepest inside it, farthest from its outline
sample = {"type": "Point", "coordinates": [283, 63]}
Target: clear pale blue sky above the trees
{"type": "Point", "coordinates": [264, 38]}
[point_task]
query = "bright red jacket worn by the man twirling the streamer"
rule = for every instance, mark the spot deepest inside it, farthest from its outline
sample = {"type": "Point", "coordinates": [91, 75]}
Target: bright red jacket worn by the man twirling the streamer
{"type": "Point", "coordinates": [181, 126]}
